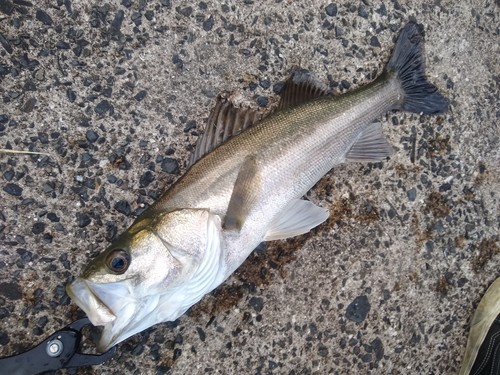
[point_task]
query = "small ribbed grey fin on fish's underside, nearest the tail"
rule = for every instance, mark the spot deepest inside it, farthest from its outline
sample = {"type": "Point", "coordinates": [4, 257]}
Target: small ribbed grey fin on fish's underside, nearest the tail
{"type": "Point", "coordinates": [370, 146]}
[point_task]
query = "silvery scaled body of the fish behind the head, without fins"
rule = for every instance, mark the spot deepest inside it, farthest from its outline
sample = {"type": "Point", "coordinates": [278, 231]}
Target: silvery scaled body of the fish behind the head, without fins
{"type": "Point", "coordinates": [294, 148]}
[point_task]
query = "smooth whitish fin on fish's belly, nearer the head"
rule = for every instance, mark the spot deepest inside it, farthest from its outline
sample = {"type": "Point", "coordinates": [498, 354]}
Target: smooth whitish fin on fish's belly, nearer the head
{"type": "Point", "coordinates": [298, 217]}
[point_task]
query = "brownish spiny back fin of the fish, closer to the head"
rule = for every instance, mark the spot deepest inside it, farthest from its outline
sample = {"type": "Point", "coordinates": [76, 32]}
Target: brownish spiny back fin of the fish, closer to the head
{"type": "Point", "coordinates": [225, 121]}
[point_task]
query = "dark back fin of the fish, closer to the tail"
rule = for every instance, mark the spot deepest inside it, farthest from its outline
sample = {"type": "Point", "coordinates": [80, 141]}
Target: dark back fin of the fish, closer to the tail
{"type": "Point", "coordinates": [302, 86]}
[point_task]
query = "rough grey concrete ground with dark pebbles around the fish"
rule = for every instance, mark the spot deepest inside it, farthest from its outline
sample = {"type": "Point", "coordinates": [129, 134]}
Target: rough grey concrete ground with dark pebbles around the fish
{"type": "Point", "coordinates": [118, 93]}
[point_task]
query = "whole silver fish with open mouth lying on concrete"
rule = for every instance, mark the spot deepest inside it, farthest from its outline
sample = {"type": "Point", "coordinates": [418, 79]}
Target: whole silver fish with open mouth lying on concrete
{"type": "Point", "coordinates": [245, 185]}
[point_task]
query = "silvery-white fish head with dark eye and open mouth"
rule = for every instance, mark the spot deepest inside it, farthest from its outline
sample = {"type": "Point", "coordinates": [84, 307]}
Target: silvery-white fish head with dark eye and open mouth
{"type": "Point", "coordinates": [152, 273]}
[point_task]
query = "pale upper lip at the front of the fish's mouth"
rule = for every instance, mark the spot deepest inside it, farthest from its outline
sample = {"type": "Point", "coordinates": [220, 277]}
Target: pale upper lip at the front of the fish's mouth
{"type": "Point", "coordinates": [82, 293]}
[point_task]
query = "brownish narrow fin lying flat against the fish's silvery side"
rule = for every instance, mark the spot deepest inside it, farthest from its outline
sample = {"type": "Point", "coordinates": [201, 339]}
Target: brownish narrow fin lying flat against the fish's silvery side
{"type": "Point", "coordinates": [245, 194]}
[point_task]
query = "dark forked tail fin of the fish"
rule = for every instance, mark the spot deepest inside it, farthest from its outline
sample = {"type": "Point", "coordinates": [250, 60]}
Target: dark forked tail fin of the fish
{"type": "Point", "coordinates": [408, 64]}
